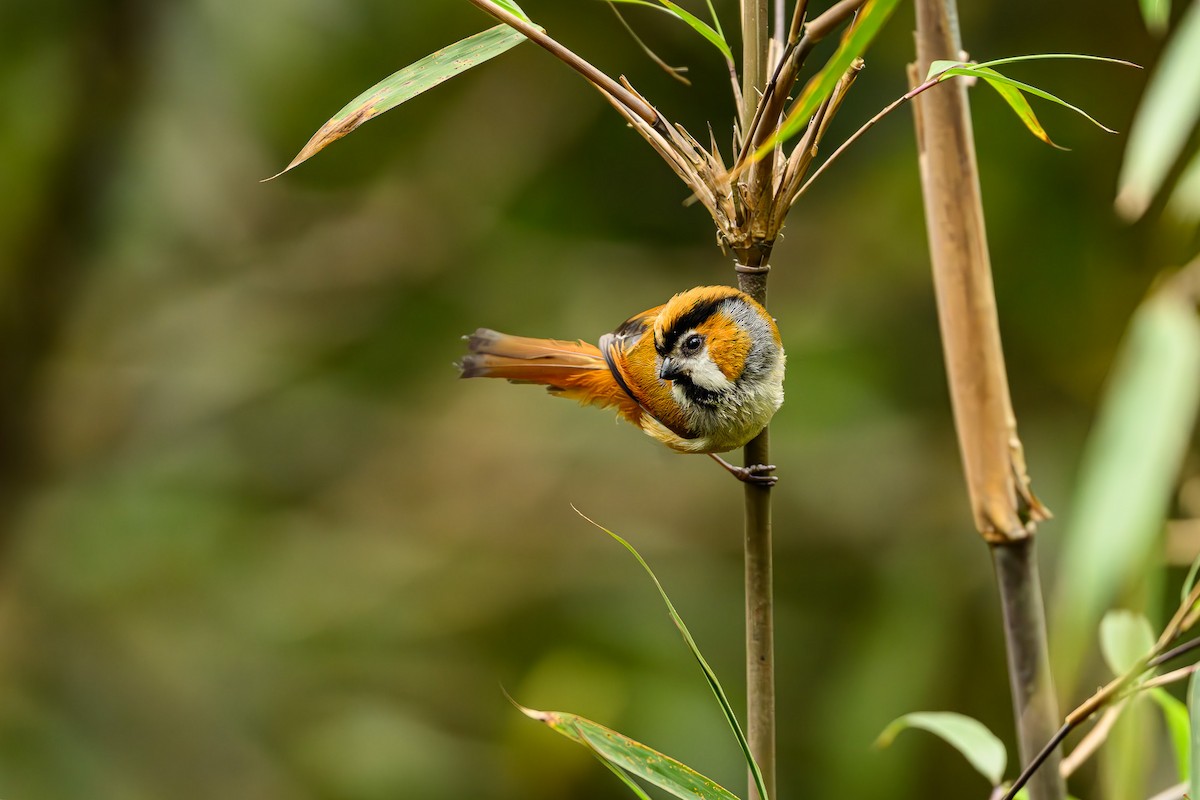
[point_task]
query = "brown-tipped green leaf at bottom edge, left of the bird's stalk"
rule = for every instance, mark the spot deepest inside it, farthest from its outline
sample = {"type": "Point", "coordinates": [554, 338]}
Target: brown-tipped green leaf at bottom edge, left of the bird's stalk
{"type": "Point", "coordinates": [633, 757]}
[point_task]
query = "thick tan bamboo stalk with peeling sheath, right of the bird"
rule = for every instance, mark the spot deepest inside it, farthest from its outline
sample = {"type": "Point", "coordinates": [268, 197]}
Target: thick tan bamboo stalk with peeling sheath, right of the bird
{"type": "Point", "coordinates": [1006, 512]}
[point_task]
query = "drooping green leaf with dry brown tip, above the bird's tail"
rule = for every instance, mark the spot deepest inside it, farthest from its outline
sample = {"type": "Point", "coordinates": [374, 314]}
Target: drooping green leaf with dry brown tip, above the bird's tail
{"type": "Point", "coordinates": [411, 82]}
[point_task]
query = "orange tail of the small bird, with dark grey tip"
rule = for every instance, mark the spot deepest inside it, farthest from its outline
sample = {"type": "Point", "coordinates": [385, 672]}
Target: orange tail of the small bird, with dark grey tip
{"type": "Point", "coordinates": [553, 363]}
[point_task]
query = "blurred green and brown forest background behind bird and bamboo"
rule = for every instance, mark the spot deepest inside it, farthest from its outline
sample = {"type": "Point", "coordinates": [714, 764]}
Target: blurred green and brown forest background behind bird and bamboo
{"type": "Point", "coordinates": [259, 542]}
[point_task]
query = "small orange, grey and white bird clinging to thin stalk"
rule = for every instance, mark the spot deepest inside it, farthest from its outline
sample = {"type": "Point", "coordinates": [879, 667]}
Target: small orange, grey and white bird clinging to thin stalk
{"type": "Point", "coordinates": [703, 374]}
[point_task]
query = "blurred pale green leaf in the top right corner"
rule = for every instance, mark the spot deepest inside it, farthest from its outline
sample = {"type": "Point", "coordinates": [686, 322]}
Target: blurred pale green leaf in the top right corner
{"type": "Point", "coordinates": [1166, 119]}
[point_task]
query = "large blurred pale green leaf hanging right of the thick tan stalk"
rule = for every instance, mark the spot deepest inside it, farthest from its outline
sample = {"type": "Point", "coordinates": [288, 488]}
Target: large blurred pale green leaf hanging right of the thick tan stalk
{"type": "Point", "coordinates": [1130, 468]}
